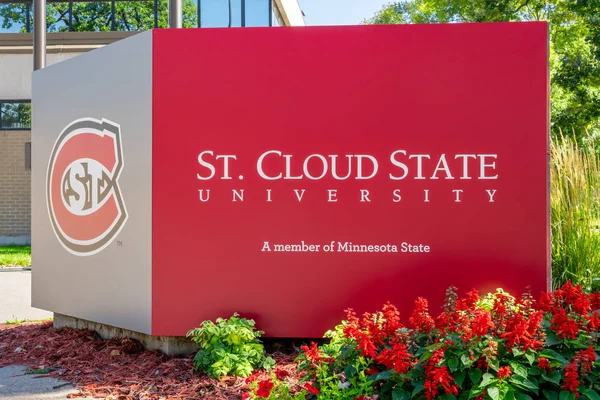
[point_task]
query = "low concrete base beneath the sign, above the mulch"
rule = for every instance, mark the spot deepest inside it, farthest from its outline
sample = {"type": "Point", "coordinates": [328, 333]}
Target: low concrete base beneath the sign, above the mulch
{"type": "Point", "coordinates": [172, 345]}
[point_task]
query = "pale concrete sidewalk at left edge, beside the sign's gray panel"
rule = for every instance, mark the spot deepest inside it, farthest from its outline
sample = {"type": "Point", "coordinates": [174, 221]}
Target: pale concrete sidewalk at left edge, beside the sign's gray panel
{"type": "Point", "coordinates": [15, 296]}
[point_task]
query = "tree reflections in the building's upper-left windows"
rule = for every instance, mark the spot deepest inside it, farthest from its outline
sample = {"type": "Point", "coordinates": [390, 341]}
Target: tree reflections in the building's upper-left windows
{"type": "Point", "coordinates": [98, 15]}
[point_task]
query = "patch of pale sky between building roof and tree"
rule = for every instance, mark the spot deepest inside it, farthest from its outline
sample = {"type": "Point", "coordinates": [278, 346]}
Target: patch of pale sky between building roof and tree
{"type": "Point", "coordinates": [340, 12]}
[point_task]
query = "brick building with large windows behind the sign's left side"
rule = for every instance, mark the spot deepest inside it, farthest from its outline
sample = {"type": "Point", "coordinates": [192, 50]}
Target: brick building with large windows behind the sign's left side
{"type": "Point", "coordinates": [68, 38]}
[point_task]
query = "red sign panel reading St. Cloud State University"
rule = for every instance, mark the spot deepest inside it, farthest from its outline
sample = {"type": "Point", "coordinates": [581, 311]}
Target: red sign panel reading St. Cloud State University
{"type": "Point", "coordinates": [299, 172]}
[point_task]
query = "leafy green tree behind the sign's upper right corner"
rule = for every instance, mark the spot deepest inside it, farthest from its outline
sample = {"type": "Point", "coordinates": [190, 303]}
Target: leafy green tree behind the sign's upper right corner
{"type": "Point", "coordinates": [574, 47]}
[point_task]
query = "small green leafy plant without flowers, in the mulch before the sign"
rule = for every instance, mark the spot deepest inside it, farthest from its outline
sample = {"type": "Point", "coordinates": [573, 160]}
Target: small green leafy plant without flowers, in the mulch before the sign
{"type": "Point", "coordinates": [229, 347]}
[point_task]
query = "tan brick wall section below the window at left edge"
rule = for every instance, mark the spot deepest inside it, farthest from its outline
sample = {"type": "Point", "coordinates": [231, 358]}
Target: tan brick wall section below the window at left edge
{"type": "Point", "coordinates": [15, 187]}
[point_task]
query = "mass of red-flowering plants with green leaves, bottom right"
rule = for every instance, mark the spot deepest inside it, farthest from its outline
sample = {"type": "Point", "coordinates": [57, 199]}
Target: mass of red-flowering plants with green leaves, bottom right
{"type": "Point", "coordinates": [495, 347]}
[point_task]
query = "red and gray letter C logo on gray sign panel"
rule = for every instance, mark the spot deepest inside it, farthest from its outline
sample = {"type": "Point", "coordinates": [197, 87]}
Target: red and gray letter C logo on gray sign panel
{"type": "Point", "coordinates": [84, 200]}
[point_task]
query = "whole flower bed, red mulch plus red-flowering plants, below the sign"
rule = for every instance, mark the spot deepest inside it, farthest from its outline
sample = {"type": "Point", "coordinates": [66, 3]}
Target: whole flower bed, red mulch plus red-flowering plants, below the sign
{"type": "Point", "coordinates": [492, 347]}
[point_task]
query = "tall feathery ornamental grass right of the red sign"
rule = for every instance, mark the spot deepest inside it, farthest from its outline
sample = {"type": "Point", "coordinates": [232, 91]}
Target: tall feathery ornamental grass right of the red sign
{"type": "Point", "coordinates": [575, 179]}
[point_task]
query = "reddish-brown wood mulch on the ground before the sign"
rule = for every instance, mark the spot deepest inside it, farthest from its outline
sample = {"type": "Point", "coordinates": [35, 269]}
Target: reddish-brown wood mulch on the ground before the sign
{"type": "Point", "coordinates": [117, 368]}
